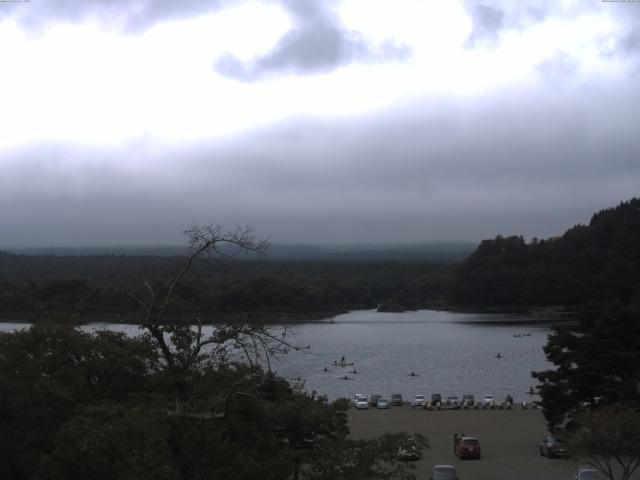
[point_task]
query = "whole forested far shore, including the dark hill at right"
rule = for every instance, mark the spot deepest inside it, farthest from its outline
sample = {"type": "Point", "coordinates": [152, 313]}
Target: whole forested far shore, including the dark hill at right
{"type": "Point", "coordinates": [598, 261]}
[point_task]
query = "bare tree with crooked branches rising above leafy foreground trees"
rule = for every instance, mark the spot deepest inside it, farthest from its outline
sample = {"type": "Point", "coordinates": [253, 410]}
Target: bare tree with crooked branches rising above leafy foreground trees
{"type": "Point", "coordinates": [180, 338]}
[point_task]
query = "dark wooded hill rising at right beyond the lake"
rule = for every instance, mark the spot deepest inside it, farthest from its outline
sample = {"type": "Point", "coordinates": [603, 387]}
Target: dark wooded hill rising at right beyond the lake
{"type": "Point", "coordinates": [598, 261]}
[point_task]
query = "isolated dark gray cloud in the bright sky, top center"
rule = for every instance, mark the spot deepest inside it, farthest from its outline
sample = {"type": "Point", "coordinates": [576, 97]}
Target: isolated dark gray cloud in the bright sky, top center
{"type": "Point", "coordinates": [318, 42]}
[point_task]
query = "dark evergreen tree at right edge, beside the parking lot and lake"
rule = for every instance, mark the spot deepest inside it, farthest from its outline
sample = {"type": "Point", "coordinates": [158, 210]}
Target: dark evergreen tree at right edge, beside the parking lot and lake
{"type": "Point", "coordinates": [597, 363]}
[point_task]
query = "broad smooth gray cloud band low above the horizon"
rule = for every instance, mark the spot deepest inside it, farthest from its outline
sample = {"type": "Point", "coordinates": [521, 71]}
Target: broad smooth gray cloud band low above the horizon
{"type": "Point", "coordinates": [531, 164]}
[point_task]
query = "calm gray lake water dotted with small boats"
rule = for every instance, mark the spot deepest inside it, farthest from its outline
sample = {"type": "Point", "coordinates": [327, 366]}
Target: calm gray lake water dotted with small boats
{"type": "Point", "coordinates": [451, 352]}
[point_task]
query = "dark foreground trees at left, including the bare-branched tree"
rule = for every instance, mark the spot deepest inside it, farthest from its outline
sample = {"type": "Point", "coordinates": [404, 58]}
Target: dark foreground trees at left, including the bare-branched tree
{"type": "Point", "coordinates": [171, 403]}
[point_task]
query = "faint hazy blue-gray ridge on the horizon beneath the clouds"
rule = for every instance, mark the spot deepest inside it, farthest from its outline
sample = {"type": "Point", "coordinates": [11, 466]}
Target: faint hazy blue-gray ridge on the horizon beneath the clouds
{"type": "Point", "coordinates": [437, 252]}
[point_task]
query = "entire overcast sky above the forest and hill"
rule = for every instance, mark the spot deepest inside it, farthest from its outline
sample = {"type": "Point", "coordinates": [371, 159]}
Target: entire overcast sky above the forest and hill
{"type": "Point", "coordinates": [353, 121]}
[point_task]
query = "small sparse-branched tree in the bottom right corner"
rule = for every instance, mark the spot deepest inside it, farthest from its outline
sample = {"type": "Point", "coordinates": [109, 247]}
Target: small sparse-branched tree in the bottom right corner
{"type": "Point", "coordinates": [609, 440]}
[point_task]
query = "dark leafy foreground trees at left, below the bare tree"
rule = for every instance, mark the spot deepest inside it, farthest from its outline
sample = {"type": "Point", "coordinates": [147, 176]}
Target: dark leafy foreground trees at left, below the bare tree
{"type": "Point", "coordinates": [104, 406]}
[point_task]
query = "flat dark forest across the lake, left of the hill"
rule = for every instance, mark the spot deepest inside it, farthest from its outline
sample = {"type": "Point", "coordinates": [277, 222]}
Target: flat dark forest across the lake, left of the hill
{"type": "Point", "coordinates": [35, 286]}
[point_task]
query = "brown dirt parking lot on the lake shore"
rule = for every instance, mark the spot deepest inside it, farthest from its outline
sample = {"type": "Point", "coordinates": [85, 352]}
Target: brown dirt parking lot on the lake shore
{"type": "Point", "coordinates": [509, 440]}
